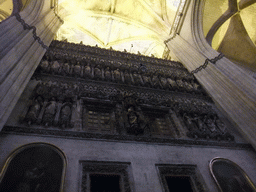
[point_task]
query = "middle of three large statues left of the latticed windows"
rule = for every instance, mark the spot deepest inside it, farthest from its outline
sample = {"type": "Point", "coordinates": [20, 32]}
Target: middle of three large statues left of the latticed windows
{"type": "Point", "coordinates": [50, 112]}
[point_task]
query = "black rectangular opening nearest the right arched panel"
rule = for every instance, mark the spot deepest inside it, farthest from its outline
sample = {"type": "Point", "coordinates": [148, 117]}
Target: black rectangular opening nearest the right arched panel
{"type": "Point", "coordinates": [178, 183]}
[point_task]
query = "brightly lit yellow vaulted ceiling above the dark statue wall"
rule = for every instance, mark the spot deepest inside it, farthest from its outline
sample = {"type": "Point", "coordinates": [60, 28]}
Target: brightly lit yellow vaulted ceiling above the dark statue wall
{"type": "Point", "coordinates": [134, 25]}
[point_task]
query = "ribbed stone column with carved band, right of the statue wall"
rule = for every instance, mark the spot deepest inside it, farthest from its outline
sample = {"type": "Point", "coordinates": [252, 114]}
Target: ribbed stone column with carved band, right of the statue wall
{"type": "Point", "coordinates": [232, 89]}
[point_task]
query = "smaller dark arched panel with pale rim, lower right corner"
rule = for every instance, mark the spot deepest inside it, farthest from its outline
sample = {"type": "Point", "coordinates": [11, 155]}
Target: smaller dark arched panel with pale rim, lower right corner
{"type": "Point", "coordinates": [230, 177]}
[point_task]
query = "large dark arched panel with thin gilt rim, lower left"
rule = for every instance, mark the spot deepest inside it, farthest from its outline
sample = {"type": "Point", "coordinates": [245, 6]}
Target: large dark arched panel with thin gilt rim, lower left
{"type": "Point", "coordinates": [36, 167]}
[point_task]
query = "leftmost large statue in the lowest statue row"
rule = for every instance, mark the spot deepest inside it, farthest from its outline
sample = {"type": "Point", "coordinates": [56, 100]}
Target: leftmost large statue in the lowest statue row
{"type": "Point", "coordinates": [34, 110]}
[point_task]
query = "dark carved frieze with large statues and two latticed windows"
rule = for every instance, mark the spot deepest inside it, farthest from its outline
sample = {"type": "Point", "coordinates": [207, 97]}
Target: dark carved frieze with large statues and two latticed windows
{"type": "Point", "coordinates": [109, 109]}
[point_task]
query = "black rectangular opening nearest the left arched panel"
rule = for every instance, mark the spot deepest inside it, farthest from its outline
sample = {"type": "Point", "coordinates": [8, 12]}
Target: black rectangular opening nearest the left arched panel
{"type": "Point", "coordinates": [104, 183]}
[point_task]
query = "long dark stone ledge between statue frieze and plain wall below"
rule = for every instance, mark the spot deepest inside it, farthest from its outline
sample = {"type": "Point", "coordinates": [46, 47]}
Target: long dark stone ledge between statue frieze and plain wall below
{"type": "Point", "coordinates": [10, 130]}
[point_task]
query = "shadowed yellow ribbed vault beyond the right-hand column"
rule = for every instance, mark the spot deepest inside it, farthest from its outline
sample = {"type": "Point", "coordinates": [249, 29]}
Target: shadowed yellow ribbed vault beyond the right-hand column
{"type": "Point", "coordinates": [230, 26]}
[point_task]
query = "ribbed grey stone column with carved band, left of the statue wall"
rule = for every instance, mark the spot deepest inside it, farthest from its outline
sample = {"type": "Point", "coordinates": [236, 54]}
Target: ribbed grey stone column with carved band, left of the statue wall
{"type": "Point", "coordinates": [23, 42]}
